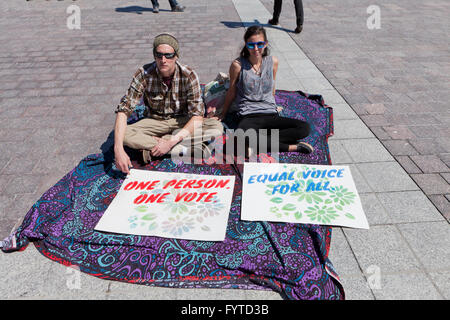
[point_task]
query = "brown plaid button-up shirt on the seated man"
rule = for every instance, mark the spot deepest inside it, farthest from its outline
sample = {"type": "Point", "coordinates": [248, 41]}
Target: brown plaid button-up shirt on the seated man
{"type": "Point", "coordinates": [184, 98]}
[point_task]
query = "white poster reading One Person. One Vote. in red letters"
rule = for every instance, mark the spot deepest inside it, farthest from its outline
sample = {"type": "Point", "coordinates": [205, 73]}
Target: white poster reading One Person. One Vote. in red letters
{"type": "Point", "coordinates": [170, 205]}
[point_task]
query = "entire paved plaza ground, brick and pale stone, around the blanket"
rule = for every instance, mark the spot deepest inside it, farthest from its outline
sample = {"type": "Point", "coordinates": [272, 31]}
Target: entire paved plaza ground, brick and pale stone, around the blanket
{"type": "Point", "coordinates": [388, 88]}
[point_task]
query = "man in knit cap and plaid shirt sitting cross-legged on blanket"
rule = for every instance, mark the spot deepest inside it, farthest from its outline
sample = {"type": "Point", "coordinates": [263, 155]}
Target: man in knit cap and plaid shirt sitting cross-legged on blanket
{"type": "Point", "coordinates": [174, 111]}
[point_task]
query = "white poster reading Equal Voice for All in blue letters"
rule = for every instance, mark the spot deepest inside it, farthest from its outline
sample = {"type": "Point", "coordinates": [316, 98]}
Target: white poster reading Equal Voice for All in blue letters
{"type": "Point", "coordinates": [300, 193]}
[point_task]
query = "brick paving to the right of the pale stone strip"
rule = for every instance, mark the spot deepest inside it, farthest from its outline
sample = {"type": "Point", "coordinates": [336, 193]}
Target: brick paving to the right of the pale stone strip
{"type": "Point", "coordinates": [395, 78]}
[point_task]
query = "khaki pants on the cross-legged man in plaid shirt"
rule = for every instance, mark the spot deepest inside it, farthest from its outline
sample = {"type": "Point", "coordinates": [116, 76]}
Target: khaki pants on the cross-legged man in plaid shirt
{"type": "Point", "coordinates": [141, 135]}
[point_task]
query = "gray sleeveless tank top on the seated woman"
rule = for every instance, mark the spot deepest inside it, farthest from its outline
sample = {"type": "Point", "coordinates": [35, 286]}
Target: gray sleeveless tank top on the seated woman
{"type": "Point", "coordinates": [254, 92]}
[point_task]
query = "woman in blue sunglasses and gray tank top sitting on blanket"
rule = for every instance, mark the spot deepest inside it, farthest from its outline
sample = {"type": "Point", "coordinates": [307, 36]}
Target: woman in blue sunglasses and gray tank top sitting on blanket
{"type": "Point", "coordinates": [252, 88]}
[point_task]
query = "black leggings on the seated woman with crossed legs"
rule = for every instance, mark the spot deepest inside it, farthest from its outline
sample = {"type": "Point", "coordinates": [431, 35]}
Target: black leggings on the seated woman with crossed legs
{"type": "Point", "coordinates": [290, 130]}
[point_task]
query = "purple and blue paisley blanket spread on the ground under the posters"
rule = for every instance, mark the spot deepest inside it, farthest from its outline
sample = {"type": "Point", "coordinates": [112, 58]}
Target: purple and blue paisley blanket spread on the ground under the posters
{"type": "Point", "coordinates": [291, 259]}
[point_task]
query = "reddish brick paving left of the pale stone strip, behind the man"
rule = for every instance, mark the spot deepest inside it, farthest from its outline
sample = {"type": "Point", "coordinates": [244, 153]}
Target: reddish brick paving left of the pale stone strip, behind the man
{"type": "Point", "coordinates": [59, 87]}
